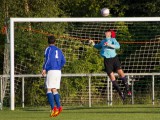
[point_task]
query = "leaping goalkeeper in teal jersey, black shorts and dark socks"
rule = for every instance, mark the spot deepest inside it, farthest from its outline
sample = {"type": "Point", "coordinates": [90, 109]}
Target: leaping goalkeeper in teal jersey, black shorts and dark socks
{"type": "Point", "coordinates": [112, 64]}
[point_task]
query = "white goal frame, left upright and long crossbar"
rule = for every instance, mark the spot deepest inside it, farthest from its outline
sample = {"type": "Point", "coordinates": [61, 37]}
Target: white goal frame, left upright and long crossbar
{"type": "Point", "coordinates": [54, 20]}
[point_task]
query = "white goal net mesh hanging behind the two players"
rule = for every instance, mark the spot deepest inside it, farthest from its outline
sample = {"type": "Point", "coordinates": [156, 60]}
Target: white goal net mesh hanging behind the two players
{"type": "Point", "coordinates": [139, 53]}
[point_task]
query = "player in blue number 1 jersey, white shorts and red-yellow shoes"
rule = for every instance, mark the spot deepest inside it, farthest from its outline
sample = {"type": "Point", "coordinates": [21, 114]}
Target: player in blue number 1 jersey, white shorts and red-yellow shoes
{"type": "Point", "coordinates": [54, 62]}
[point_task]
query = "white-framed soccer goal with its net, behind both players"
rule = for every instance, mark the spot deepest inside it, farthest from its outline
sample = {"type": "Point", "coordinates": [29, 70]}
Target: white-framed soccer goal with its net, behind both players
{"type": "Point", "coordinates": [139, 53]}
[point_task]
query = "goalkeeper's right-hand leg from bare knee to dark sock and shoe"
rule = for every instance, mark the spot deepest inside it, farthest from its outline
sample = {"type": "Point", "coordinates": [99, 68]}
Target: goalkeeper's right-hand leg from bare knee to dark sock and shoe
{"type": "Point", "coordinates": [124, 81]}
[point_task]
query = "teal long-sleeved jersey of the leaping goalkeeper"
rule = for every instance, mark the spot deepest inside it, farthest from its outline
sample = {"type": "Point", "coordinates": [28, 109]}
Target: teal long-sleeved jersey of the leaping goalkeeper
{"type": "Point", "coordinates": [106, 51]}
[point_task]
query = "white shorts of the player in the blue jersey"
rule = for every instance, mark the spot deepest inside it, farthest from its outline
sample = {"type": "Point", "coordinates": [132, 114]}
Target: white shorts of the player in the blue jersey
{"type": "Point", "coordinates": [53, 79]}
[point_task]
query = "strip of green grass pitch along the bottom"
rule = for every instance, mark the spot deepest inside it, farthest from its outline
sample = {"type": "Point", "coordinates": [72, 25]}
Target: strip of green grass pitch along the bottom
{"type": "Point", "coordinates": [126, 112]}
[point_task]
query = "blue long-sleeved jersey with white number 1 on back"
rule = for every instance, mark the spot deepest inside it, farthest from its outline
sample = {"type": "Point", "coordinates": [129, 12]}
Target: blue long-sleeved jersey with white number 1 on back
{"type": "Point", "coordinates": [54, 58]}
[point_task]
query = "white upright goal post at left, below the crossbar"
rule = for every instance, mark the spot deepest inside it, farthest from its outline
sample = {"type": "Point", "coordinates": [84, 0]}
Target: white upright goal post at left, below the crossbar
{"type": "Point", "coordinates": [12, 94]}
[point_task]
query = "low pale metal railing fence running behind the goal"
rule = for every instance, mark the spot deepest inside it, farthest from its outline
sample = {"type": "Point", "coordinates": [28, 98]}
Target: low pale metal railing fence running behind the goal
{"type": "Point", "coordinates": [96, 89]}
